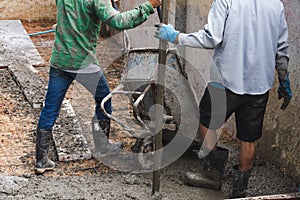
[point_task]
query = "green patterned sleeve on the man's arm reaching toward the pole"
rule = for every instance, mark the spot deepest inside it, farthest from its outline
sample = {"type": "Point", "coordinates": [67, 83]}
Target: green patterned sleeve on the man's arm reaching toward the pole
{"type": "Point", "coordinates": [123, 20]}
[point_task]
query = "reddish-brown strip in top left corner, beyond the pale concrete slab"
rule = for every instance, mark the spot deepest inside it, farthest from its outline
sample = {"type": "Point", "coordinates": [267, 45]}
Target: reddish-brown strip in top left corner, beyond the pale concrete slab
{"type": "Point", "coordinates": [27, 9]}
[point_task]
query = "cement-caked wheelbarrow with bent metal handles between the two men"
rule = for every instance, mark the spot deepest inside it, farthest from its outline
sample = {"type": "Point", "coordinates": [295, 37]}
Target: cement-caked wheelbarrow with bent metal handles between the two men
{"type": "Point", "coordinates": [138, 82]}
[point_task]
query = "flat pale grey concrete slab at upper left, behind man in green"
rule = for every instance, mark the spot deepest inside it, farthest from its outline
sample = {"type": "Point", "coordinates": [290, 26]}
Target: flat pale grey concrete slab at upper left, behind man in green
{"type": "Point", "coordinates": [15, 44]}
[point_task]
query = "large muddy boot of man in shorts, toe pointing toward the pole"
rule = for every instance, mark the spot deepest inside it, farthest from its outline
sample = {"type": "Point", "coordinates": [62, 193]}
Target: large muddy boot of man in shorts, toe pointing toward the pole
{"type": "Point", "coordinates": [212, 173]}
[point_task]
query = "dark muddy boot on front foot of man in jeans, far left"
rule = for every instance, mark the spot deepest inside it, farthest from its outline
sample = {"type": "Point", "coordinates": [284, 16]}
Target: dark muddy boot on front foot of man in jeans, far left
{"type": "Point", "coordinates": [43, 163]}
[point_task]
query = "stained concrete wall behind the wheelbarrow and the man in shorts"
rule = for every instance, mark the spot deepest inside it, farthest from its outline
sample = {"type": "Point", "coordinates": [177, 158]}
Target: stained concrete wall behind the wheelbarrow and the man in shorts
{"type": "Point", "coordinates": [281, 134]}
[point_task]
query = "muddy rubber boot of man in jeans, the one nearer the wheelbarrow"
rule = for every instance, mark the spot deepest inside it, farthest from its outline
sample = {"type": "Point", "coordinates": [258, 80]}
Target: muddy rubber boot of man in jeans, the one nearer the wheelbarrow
{"type": "Point", "coordinates": [102, 145]}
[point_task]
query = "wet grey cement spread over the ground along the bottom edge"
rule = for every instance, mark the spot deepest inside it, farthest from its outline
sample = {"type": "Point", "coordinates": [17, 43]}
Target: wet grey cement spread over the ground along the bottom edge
{"type": "Point", "coordinates": [266, 180]}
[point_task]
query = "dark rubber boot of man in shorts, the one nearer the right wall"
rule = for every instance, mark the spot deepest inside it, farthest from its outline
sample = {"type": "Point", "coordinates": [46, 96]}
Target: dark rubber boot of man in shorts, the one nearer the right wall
{"type": "Point", "coordinates": [239, 182]}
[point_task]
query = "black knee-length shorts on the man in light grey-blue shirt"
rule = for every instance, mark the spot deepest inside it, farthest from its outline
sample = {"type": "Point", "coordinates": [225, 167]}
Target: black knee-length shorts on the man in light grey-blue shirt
{"type": "Point", "coordinates": [218, 104]}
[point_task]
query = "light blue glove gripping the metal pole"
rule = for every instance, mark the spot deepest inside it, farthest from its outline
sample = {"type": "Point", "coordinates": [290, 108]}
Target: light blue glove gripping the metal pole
{"type": "Point", "coordinates": [166, 32]}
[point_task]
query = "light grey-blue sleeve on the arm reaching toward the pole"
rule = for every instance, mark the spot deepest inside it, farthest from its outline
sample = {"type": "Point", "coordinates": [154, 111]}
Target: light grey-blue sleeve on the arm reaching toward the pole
{"type": "Point", "coordinates": [212, 34]}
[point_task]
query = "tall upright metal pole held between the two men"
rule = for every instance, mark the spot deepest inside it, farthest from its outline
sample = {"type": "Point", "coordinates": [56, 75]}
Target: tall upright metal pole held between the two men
{"type": "Point", "coordinates": [162, 60]}
